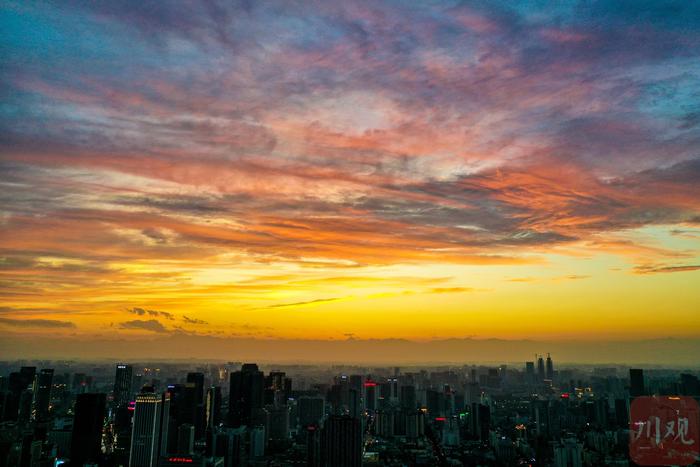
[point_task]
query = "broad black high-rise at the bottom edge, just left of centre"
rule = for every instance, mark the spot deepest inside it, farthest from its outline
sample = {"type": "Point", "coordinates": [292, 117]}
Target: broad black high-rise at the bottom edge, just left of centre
{"type": "Point", "coordinates": [341, 442]}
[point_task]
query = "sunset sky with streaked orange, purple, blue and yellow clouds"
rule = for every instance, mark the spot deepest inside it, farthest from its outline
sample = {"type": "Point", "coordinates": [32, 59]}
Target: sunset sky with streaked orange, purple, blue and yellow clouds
{"type": "Point", "coordinates": [427, 171]}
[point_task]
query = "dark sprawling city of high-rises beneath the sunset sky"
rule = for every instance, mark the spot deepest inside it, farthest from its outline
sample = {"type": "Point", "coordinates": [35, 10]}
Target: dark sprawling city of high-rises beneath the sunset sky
{"type": "Point", "coordinates": [231, 415]}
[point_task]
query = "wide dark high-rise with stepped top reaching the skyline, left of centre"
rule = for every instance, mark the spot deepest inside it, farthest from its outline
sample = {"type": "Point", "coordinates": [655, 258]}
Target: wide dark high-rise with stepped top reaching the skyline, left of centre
{"type": "Point", "coordinates": [245, 394]}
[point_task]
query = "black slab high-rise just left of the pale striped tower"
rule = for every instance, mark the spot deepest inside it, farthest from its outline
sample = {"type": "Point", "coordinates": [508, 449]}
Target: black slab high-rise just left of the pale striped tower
{"type": "Point", "coordinates": [86, 443]}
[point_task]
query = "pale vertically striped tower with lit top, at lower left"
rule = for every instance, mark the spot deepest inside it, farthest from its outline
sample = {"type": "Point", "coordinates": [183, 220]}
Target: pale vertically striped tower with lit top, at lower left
{"type": "Point", "coordinates": [150, 429]}
